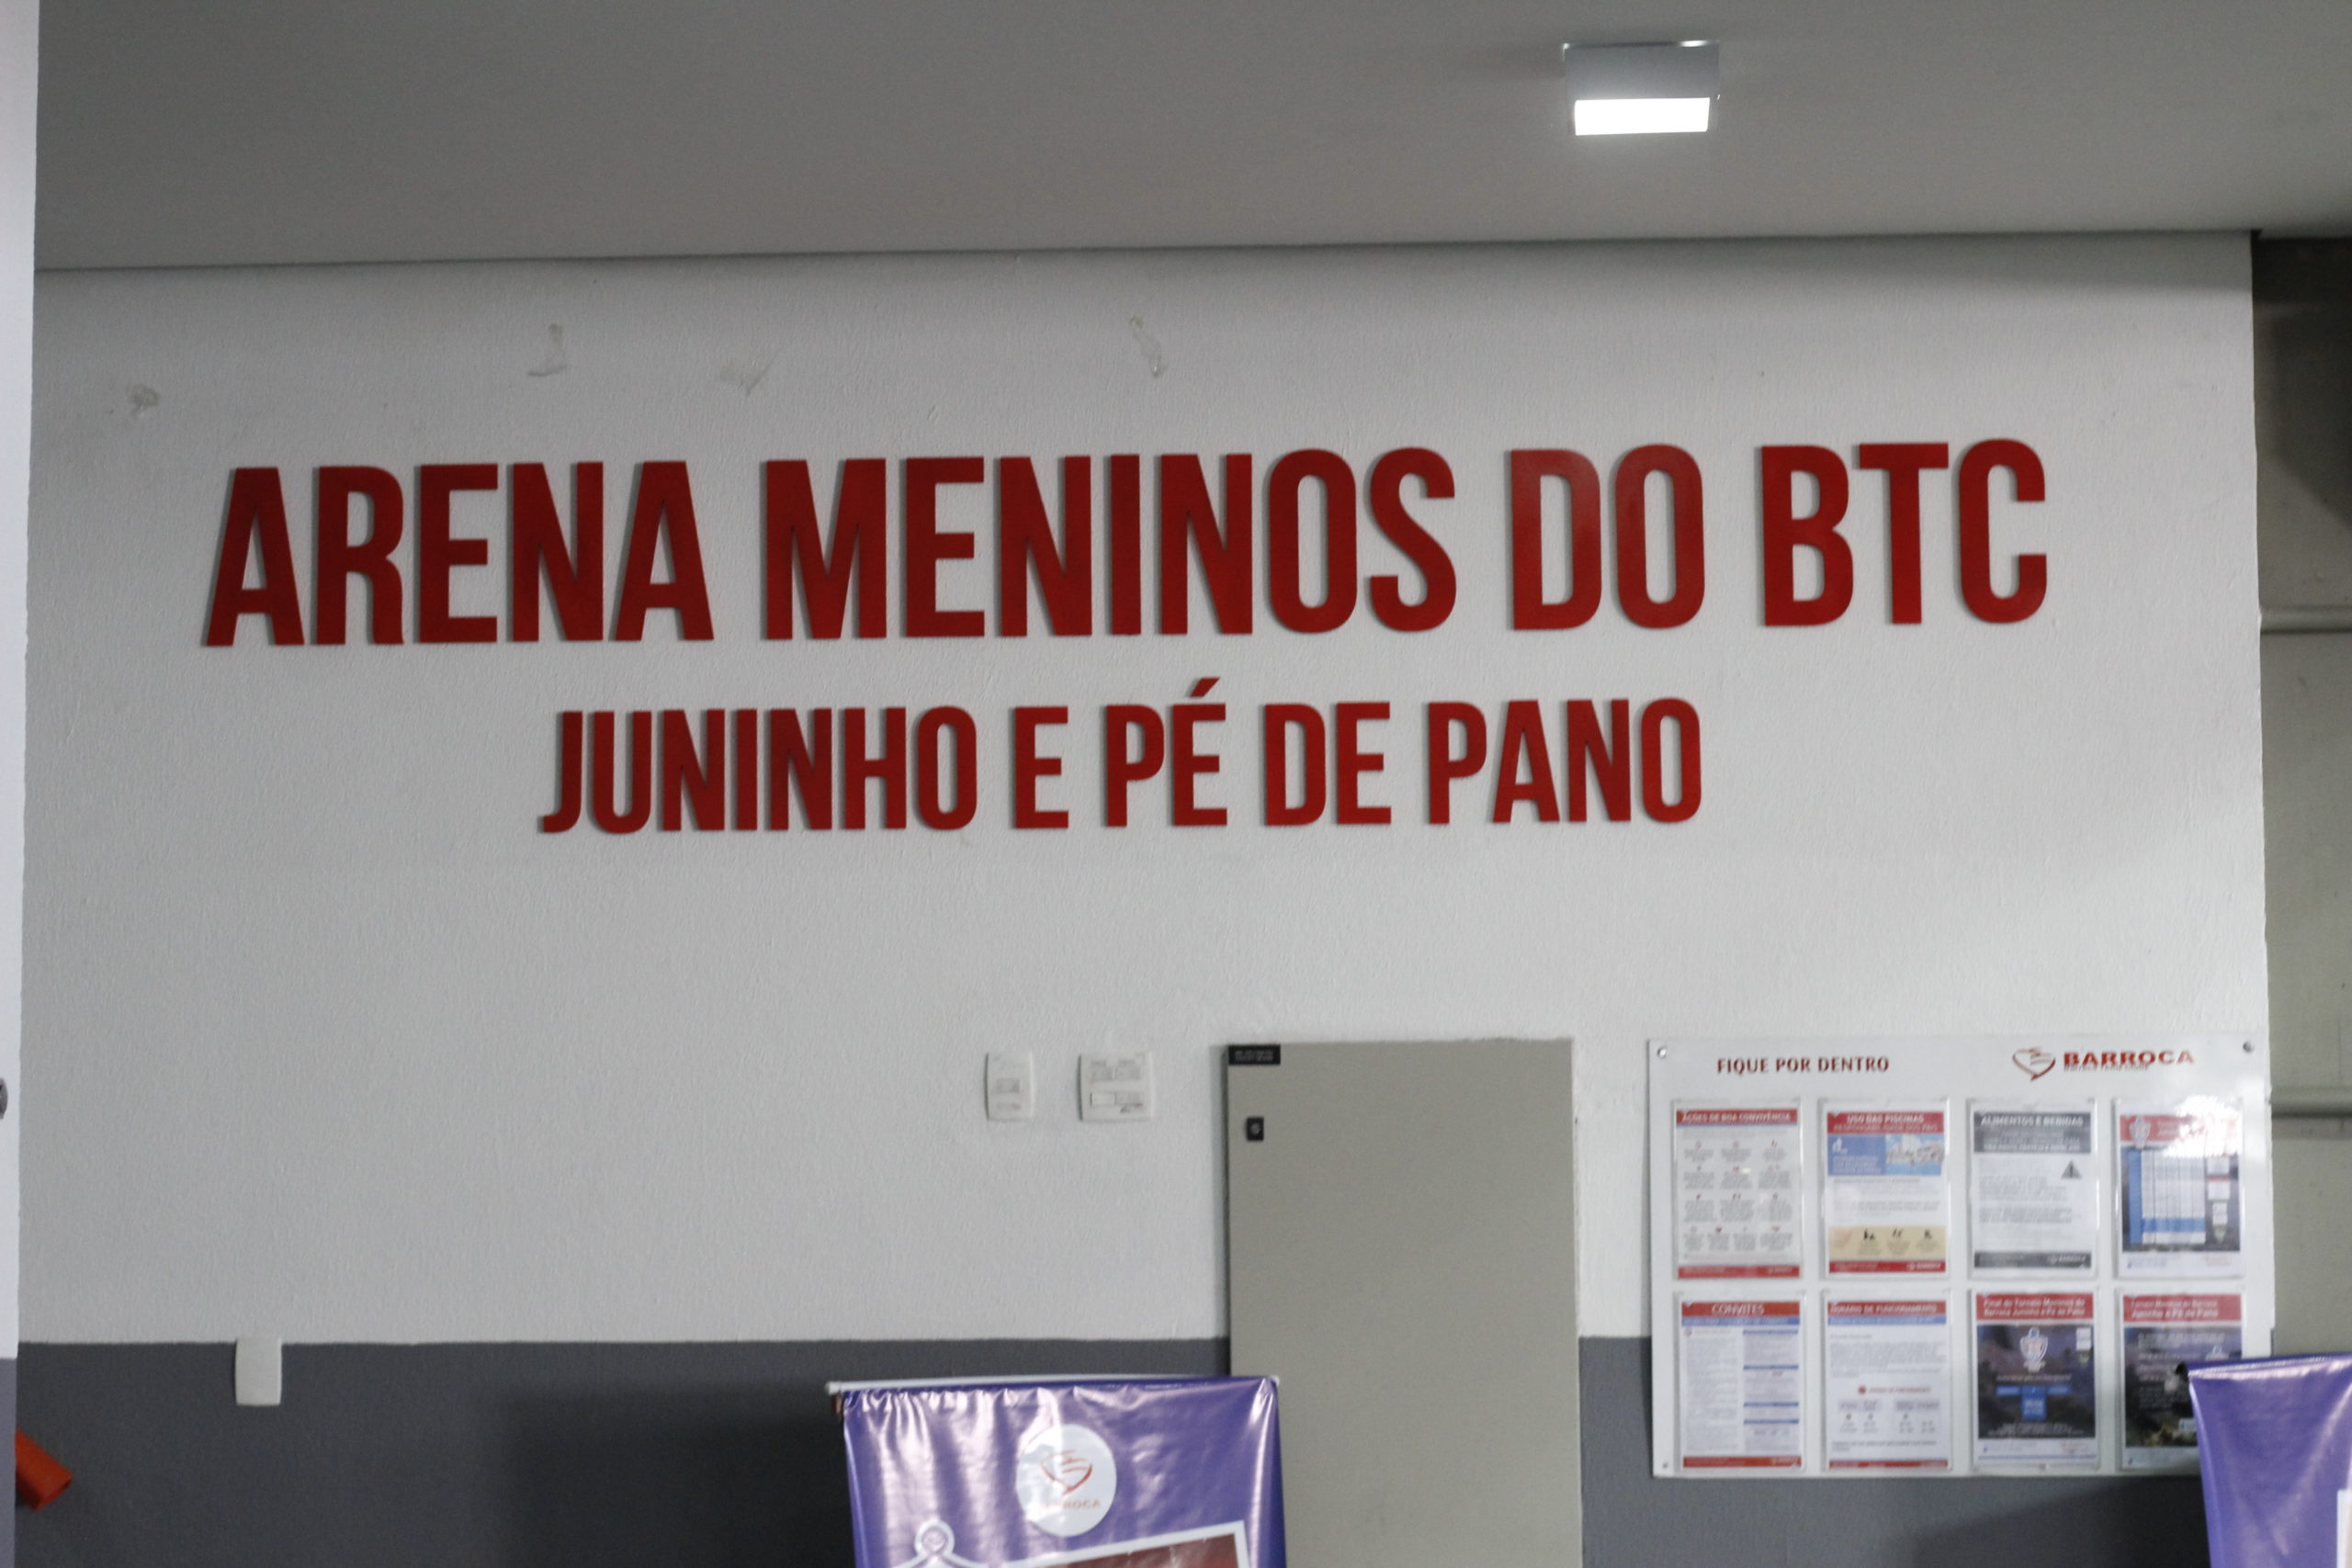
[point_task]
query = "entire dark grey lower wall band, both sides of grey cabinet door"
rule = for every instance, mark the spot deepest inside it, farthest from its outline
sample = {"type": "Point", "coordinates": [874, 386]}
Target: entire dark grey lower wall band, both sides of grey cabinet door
{"type": "Point", "coordinates": [589, 1456]}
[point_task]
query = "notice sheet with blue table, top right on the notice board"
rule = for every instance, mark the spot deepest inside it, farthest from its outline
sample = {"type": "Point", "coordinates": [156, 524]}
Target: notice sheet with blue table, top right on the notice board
{"type": "Point", "coordinates": [2184, 1202]}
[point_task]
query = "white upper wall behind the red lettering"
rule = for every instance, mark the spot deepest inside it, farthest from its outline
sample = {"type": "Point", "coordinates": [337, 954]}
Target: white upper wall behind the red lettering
{"type": "Point", "coordinates": [330, 1043]}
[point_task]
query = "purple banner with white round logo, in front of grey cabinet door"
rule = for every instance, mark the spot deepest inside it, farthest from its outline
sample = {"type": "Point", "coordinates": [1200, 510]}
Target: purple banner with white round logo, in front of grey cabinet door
{"type": "Point", "coordinates": [1170, 1473]}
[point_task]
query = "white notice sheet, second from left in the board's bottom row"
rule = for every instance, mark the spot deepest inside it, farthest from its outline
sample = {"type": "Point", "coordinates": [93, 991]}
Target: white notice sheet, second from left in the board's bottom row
{"type": "Point", "coordinates": [1890, 1383]}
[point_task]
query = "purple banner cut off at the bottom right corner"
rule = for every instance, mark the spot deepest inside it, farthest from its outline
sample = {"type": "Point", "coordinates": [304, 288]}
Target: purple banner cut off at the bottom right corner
{"type": "Point", "coordinates": [2276, 1442]}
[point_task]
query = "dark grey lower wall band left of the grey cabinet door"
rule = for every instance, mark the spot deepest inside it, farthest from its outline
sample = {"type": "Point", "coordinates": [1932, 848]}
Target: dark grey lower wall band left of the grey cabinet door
{"type": "Point", "coordinates": [481, 1456]}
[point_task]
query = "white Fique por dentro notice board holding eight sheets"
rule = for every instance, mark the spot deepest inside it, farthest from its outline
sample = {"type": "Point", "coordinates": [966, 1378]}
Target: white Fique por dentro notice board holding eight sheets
{"type": "Point", "coordinates": [1951, 1257]}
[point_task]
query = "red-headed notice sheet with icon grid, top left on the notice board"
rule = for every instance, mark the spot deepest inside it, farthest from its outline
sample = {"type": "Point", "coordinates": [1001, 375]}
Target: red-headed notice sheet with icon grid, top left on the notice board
{"type": "Point", "coordinates": [1737, 1172]}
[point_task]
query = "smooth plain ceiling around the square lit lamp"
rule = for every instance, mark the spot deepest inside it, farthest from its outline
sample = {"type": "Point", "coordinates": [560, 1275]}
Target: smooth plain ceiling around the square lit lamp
{"type": "Point", "coordinates": [279, 130]}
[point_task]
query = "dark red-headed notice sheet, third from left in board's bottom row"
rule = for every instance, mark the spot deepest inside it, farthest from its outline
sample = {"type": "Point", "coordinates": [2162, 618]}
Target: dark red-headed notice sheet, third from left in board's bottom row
{"type": "Point", "coordinates": [2036, 1391]}
